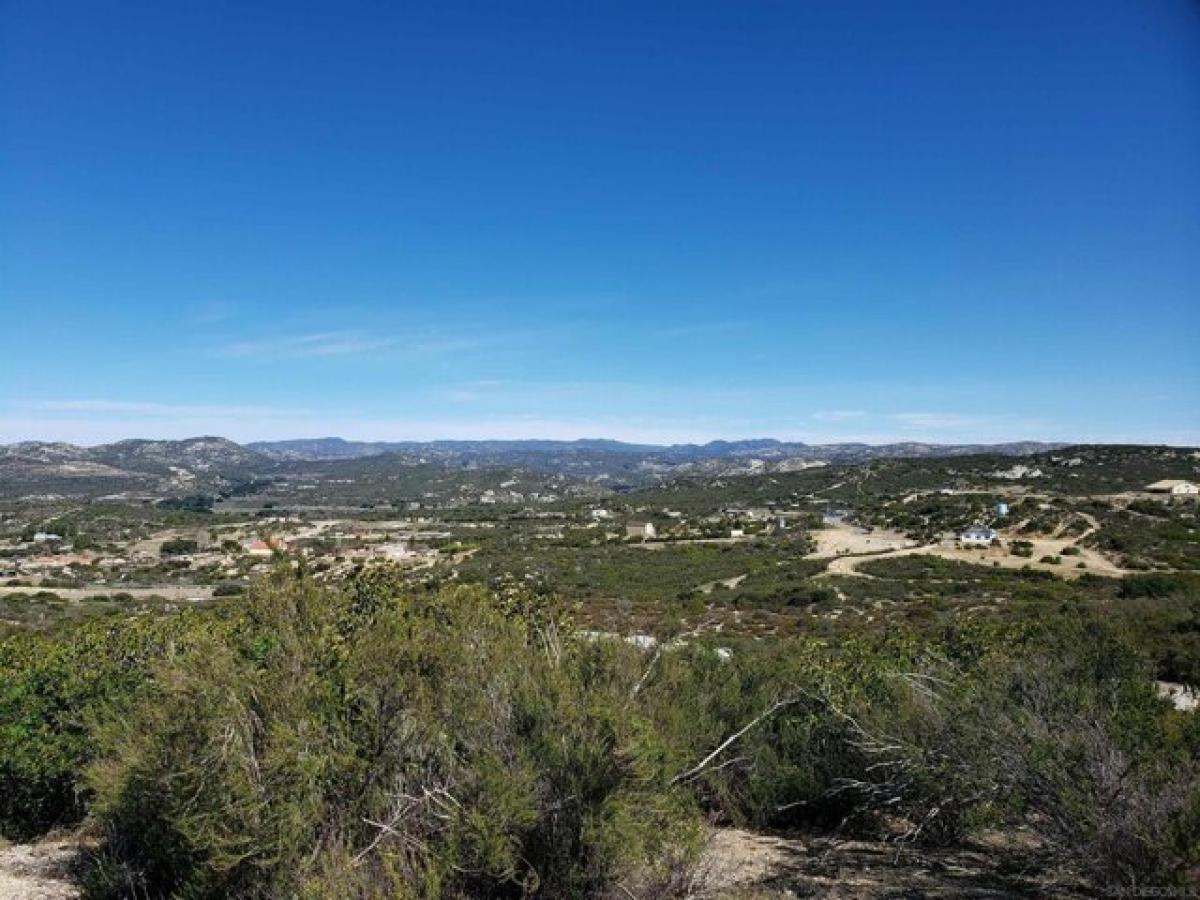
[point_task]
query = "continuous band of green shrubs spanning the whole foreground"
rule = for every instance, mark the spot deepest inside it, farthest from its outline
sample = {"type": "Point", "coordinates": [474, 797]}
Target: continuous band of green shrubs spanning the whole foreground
{"type": "Point", "coordinates": [382, 741]}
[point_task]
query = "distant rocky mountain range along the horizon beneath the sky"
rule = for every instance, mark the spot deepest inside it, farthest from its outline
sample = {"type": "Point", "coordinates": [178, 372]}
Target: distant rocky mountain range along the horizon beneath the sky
{"type": "Point", "coordinates": [220, 467]}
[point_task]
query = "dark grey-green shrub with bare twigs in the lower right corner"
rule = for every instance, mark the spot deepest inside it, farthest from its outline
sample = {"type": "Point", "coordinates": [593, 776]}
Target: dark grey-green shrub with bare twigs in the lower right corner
{"type": "Point", "coordinates": [1064, 735]}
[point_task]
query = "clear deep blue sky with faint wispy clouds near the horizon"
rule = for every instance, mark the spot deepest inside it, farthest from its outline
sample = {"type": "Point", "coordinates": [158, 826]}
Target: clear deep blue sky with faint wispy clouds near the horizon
{"type": "Point", "coordinates": [820, 221]}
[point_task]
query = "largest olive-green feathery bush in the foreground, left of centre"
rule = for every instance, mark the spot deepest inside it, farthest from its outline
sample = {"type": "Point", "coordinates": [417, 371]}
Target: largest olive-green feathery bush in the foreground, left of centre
{"type": "Point", "coordinates": [380, 745]}
